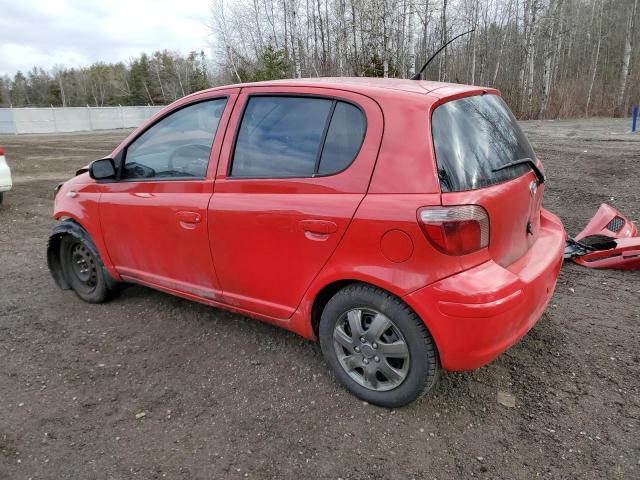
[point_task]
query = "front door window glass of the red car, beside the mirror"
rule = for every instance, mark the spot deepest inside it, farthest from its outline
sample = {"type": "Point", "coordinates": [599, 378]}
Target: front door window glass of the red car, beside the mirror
{"type": "Point", "coordinates": [178, 146]}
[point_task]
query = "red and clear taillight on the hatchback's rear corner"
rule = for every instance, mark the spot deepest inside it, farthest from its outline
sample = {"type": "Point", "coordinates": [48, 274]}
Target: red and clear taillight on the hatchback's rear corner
{"type": "Point", "coordinates": [455, 230]}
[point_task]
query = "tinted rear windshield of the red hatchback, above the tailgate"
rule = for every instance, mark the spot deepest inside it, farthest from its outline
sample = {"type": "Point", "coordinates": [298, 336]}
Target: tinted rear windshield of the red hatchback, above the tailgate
{"type": "Point", "coordinates": [472, 137]}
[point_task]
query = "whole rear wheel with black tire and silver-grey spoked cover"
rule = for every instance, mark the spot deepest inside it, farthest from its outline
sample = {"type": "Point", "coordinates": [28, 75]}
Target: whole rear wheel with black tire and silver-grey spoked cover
{"type": "Point", "coordinates": [377, 347]}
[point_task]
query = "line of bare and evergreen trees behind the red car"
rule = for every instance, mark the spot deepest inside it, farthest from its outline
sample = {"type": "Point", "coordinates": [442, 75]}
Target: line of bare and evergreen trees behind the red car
{"type": "Point", "coordinates": [550, 58]}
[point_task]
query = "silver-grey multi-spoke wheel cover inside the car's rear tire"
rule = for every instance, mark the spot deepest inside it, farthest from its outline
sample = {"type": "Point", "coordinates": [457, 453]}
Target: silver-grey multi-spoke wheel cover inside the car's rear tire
{"type": "Point", "coordinates": [371, 349]}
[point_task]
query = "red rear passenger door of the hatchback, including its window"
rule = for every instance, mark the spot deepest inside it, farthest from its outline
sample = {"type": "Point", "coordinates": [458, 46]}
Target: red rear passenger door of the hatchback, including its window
{"type": "Point", "coordinates": [295, 165]}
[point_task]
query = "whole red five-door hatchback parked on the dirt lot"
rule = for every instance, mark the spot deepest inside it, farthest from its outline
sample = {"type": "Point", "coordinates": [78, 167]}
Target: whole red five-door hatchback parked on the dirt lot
{"type": "Point", "coordinates": [397, 221]}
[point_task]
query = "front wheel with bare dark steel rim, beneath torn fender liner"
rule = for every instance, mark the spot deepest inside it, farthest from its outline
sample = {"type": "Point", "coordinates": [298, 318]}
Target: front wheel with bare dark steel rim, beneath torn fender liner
{"type": "Point", "coordinates": [83, 269]}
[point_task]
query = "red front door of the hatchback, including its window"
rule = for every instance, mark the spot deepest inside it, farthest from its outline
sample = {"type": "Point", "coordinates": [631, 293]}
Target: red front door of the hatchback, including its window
{"type": "Point", "coordinates": [153, 216]}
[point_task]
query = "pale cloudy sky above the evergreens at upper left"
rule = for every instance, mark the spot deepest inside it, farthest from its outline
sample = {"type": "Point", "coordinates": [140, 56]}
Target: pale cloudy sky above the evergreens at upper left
{"type": "Point", "coordinates": [76, 33]}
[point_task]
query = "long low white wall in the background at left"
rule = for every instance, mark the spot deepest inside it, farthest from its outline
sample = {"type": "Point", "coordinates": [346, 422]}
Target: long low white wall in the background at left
{"type": "Point", "coordinates": [71, 119]}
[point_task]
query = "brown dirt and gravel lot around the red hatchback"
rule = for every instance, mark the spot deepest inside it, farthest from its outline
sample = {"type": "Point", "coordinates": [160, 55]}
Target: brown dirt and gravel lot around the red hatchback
{"type": "Point", "coordinates": [229, 397]}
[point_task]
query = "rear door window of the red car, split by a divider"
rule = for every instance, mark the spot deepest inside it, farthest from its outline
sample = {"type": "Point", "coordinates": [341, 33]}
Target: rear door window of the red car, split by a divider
{"type": "Point", "coordinates": [282, 137]}
